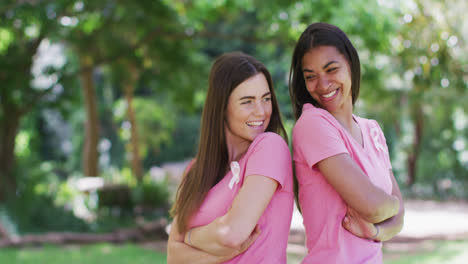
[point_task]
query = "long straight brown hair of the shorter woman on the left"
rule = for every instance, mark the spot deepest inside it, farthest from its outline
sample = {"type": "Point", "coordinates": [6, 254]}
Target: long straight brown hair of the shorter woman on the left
{"type": "Point", "coordinates": [228, 71]}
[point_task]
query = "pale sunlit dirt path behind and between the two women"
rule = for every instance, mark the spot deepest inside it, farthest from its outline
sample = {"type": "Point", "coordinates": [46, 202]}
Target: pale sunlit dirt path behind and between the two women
{"type": "Point", "coordinates": [426, 222]}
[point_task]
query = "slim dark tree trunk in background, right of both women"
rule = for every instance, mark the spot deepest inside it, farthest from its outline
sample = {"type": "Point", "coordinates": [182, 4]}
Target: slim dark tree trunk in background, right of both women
{"type": "Point", "coordinates": [414, 155]}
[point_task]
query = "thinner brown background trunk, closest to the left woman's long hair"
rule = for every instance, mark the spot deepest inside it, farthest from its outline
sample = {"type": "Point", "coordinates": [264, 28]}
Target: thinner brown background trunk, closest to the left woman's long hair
{"type": "Point", "coordinates": [134, 141]}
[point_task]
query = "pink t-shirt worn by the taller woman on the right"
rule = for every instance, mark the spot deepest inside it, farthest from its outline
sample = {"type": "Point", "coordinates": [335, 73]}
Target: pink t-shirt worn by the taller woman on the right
{"type": "Point", "coordinates": [317, 135]}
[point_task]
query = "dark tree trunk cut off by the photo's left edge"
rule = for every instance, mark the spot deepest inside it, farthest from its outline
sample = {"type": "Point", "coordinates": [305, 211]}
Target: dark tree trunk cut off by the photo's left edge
{"type": "Point", "coordinates": [8, 131]}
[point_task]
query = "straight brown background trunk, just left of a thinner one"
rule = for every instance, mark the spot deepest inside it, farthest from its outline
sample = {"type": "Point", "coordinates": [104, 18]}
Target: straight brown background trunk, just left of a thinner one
{"type": "Point", "coordinates": [90, 151]}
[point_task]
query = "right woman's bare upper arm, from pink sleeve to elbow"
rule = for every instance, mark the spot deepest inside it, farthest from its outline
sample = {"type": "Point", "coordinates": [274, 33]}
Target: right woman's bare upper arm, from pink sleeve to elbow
{"type": "Point", "coordinates": [370, 202]}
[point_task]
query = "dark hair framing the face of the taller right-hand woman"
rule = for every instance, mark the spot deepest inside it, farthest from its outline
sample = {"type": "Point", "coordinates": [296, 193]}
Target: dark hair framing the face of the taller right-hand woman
{"type": "Point", "coordinates": [315, 35]}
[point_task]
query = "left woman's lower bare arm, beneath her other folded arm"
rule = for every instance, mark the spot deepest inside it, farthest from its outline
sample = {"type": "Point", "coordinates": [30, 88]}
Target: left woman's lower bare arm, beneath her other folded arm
{"type": "Point", "coordinates": [179, 252]}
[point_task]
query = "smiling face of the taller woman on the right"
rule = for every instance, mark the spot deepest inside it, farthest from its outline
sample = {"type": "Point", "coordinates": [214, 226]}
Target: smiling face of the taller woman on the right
{"type": "Point", "coordinates": [327, 77]}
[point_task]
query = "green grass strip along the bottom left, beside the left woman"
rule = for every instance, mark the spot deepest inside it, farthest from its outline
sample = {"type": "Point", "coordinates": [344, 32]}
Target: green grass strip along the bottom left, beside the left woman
{"type": "Point", "coordinates": [94, 254]}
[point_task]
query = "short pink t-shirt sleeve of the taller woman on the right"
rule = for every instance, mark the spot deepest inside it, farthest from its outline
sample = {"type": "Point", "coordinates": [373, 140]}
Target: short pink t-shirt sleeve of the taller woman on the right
{"type": "Point", "coordinates": [316, 138]}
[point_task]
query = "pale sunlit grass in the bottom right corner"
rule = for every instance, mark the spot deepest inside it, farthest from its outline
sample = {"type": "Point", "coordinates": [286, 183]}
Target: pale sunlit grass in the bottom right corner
{"type": "Point", "coordinates": [430, 252]}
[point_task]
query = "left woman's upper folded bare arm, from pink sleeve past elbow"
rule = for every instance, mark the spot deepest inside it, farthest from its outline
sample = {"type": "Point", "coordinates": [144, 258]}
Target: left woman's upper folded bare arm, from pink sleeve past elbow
{"type": "Point", "coordinates": [228, 232]}
